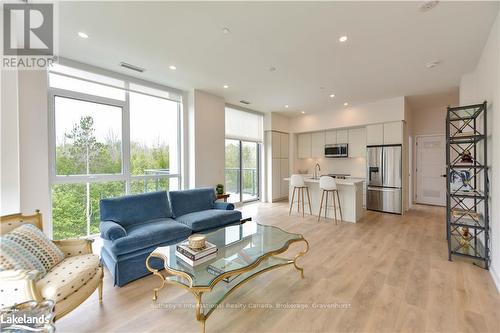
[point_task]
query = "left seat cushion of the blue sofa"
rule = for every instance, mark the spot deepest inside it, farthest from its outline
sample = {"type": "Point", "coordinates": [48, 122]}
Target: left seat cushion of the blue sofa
{"type": "Point", "coordinates": [149, 234]}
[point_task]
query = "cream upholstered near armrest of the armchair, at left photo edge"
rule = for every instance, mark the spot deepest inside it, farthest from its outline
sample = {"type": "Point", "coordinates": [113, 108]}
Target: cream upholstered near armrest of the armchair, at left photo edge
{"type": "Point", "coordinates": [17, 286]}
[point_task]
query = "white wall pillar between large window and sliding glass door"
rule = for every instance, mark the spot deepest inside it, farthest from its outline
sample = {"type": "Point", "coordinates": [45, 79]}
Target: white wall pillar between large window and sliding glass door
{"type": "Point", "coordinates": [207, 139]}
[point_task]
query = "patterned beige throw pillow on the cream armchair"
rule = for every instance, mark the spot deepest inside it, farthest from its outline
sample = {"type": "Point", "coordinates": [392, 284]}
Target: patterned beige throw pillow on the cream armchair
{"type": "Point", "coordinates": [27, 247]}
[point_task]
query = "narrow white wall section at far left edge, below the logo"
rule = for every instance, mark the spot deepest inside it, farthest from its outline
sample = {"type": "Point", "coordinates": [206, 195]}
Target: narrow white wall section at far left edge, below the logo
{"type": "Point", "coordinates": [10, 192]}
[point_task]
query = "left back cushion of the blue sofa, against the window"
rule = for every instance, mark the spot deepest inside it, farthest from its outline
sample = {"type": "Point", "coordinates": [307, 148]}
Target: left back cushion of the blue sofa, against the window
{"type": "Point", "coordinates": [131, 209]}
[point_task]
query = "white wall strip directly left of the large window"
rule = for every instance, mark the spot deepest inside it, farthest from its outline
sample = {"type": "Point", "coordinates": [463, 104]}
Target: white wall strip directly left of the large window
{"type": "Point", "coordinates": [33, 145]}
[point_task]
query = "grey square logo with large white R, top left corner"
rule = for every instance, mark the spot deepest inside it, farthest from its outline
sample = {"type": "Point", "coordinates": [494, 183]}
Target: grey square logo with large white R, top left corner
{"type": "Point", "coordinates": [28, 29]}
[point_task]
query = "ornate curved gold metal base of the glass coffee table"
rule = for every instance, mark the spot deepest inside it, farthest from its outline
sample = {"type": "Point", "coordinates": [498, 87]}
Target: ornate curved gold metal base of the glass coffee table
{"type": "Point", "coordinates": [185, 281]}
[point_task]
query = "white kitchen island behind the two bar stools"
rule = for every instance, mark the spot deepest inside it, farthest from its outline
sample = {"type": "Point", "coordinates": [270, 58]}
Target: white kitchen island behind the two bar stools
{"type": "Point", "coordinates": [351, 198]}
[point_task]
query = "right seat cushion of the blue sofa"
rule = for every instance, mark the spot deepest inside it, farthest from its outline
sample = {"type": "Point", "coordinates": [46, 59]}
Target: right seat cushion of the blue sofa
{"type": "Point", "coordinates": [209, 219]}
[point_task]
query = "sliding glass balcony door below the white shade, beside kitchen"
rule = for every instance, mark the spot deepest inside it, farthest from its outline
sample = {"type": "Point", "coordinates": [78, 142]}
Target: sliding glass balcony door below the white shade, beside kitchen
{"type": "Point", "coordinates": [242, 170]}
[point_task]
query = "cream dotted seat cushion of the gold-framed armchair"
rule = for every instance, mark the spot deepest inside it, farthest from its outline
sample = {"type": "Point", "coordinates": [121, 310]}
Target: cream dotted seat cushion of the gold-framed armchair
{"type": "Point", "coordinates": [68, 276]}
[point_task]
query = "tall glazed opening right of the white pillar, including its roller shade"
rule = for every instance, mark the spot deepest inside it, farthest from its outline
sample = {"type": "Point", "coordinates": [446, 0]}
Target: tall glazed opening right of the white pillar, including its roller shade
{"type": "Point", "coordinates": [243, 140]}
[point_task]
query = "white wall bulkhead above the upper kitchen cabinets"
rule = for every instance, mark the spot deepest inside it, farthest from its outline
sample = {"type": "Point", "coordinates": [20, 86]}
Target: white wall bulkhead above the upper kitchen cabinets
{"type": "Point", "coordinates": [385, 110]}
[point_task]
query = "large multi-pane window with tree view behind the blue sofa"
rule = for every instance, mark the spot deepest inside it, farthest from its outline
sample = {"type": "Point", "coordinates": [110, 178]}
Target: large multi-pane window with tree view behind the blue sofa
{"type": "Point", "coordinates": [109, 137]}
